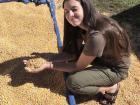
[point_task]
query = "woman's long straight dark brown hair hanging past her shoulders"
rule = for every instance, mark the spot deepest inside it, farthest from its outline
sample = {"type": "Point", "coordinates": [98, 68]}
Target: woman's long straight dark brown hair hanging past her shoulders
{"type": "Point", "coordinates": [116, 38]}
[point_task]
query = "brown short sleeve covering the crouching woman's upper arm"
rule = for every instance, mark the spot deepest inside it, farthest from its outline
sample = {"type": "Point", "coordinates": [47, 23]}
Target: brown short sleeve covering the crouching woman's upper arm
{"type": "Point", "coordinates": [95, 44]}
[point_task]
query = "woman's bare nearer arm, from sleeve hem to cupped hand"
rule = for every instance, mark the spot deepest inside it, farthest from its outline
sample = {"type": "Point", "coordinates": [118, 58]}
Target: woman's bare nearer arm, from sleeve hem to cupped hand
{"type": "Point", "coordinates": [80, 64]}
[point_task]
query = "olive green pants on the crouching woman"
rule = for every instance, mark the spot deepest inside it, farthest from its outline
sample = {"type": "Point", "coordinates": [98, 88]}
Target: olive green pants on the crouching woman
{"type": "Point", "coordinates": [88, 81]}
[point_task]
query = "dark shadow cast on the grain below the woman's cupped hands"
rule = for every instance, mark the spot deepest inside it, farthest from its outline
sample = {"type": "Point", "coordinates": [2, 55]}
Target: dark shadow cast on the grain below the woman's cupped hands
{"type": "Point", "coordinates": [14, 68]}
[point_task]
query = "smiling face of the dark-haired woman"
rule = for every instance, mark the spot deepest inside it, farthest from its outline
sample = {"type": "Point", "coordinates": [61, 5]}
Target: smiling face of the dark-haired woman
{"type": "Point", "coordinates": [73, 12]}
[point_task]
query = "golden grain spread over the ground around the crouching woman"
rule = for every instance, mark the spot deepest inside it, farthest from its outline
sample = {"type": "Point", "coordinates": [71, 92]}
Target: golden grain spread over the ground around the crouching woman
{"type": "Point", "coordinates": [28, 29]}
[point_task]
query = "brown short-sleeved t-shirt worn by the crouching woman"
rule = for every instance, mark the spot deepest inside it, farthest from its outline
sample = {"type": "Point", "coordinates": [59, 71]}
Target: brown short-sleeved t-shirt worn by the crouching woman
{"type": "Point", "coordinates": [95, 46]}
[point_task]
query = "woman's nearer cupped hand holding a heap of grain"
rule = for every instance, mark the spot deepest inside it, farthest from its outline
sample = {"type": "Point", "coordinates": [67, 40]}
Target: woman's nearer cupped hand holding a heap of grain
{"type": "Point", "coordinates": [36, 70]}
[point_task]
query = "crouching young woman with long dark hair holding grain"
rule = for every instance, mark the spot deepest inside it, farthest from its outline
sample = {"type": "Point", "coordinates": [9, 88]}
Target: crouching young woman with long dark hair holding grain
{"type": "Point", "coordinates": [95, 40]}
